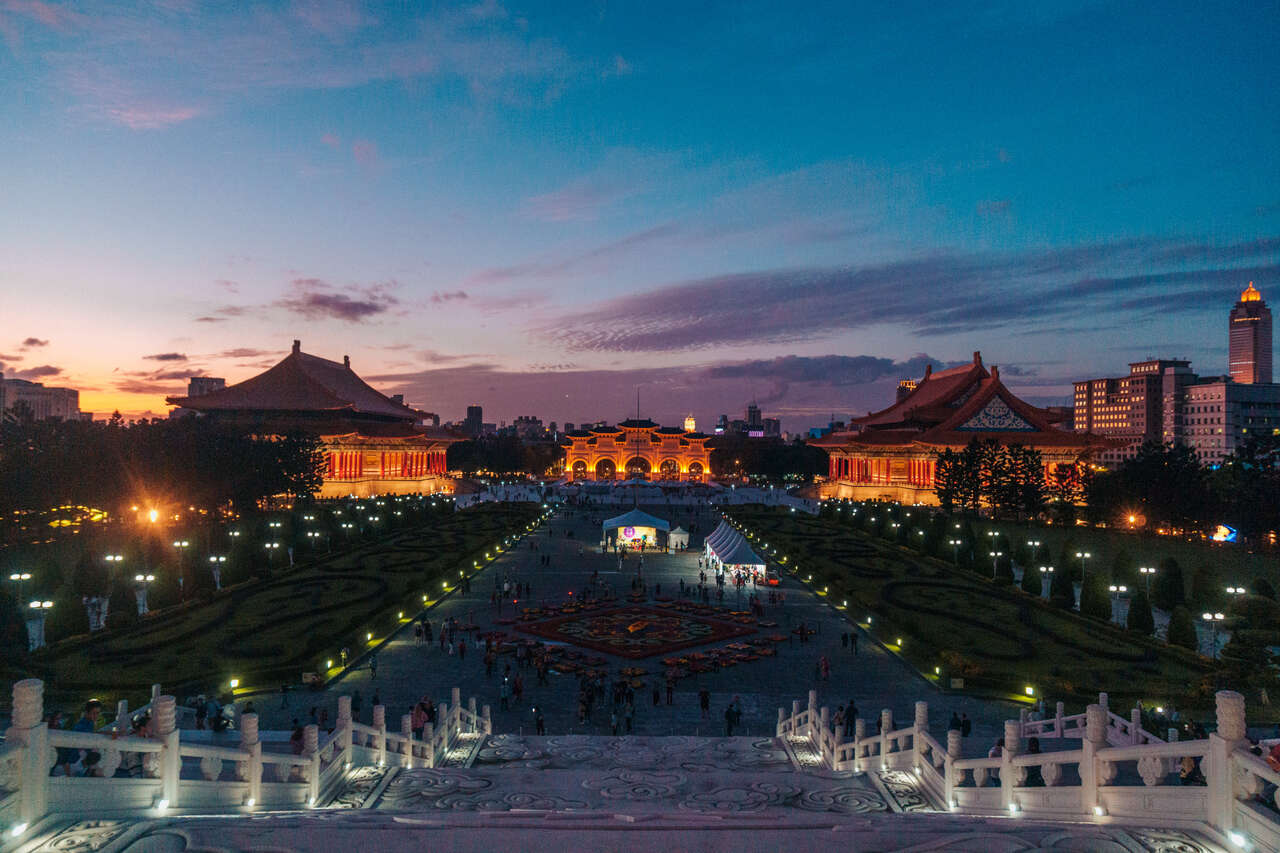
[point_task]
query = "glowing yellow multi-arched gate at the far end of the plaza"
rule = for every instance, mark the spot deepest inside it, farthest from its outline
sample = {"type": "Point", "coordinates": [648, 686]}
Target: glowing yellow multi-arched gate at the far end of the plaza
{"type": "Point", "coordinates": [638, 450]}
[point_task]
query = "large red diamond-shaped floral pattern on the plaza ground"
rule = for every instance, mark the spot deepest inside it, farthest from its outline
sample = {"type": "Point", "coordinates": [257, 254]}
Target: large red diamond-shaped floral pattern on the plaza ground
{"type": "Point", "coordinates": [636, 632]}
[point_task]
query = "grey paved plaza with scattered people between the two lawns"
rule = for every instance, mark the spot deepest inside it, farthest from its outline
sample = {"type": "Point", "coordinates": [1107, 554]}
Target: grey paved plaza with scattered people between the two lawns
{"type": "Point", "coordinates": [872, 679]}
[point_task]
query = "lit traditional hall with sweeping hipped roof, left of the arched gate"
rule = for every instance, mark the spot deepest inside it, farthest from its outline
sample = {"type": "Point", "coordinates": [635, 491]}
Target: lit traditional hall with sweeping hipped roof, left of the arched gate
{"type": "Point", "coordinates": [373, 444]}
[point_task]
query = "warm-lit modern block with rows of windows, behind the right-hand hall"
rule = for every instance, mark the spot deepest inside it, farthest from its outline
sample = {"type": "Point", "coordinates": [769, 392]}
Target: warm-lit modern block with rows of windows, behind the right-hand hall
{"type": "Point", "coordinates": [1127, 408]}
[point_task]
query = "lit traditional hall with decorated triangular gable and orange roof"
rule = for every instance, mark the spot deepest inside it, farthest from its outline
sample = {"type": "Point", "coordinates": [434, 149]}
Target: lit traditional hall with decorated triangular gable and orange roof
{"type": "Point", "coordinates": [890, 455]}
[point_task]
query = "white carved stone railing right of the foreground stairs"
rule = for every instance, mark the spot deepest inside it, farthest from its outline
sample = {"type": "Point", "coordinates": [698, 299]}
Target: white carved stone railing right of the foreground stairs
{"type": "Point", "coordinates": [1119, 772]}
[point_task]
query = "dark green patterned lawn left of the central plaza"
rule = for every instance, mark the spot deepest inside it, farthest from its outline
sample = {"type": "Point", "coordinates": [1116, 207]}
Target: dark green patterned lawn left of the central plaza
{"type": "Point", "coordinates": [269, 632]}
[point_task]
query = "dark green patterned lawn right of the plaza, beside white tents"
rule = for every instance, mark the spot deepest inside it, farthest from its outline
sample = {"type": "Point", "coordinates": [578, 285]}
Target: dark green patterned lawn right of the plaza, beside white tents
{"type": "Point", "coordinates": [996, 638]}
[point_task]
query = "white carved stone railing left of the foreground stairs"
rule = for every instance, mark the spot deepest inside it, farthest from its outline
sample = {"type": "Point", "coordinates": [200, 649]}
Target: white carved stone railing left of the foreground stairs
{"type": "Point", "coordinates": [166, 772]}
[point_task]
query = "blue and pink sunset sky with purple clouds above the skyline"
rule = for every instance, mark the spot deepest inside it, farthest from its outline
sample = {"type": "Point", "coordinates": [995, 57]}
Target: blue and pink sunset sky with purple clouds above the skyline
{"type": "Point", "coordinates": [542, 208]}
